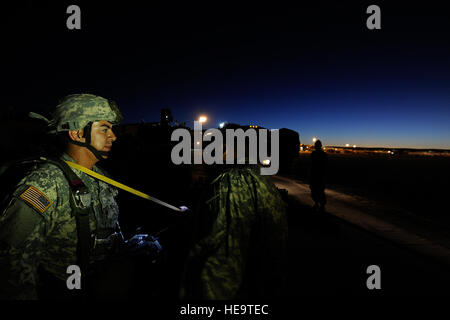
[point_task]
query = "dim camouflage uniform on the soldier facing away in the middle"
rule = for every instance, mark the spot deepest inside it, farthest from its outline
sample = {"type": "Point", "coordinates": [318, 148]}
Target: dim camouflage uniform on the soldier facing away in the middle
{"type": "Point", "coordinates": [243, 251]}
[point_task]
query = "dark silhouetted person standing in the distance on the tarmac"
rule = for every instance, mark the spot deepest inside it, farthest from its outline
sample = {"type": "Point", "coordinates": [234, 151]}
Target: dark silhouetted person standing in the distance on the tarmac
{"type": "Point", "coordinates": [317, 176]}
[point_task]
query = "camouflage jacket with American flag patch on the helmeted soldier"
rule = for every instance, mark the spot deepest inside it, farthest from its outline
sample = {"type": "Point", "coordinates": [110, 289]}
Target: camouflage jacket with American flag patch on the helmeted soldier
{"type": "Point", "coordinates": [38, 227]}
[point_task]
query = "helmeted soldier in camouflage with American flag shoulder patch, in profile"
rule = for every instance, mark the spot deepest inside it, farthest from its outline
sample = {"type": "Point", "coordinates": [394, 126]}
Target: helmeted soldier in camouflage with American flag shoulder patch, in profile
{"type": "Point", "coordinates": [38, 229]}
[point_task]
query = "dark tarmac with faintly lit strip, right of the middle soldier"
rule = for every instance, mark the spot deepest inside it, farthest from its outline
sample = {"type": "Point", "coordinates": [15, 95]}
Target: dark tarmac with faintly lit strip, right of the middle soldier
{"type": "Point", "coordinates": [329, 253]}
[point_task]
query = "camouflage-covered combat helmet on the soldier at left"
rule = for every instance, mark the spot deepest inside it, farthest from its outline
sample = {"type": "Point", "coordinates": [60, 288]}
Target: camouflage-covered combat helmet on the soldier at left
{"type": "Point", "coordinates": [75, 111]}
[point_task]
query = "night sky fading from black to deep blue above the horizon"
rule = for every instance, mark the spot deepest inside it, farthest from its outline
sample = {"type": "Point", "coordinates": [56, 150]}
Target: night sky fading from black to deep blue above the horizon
{"type": "Point", "coordinates": [313, 68]}
